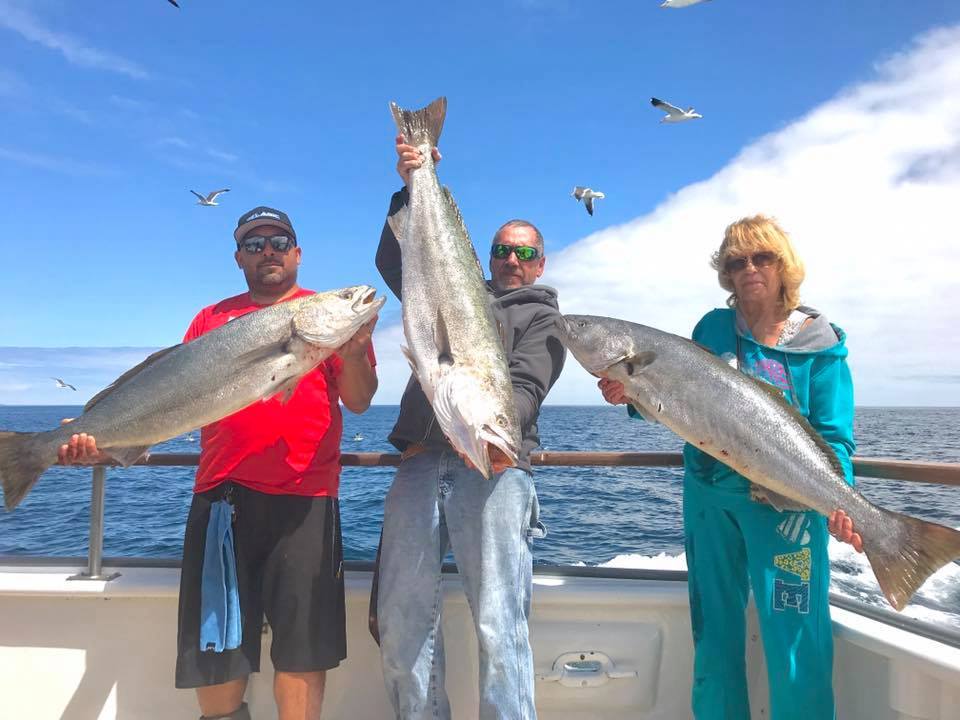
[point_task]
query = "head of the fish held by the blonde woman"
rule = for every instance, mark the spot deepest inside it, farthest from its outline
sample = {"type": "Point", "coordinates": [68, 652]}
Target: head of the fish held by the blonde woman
{"type": "Point", "coordinates": [599, 343]}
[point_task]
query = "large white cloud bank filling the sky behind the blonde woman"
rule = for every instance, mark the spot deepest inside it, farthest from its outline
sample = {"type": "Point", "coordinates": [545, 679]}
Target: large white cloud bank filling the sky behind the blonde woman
{"type": "Point", "coordinates": [868, 185]}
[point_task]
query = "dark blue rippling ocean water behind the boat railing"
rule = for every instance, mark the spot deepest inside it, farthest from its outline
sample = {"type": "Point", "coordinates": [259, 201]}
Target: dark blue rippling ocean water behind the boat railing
{"type": "Point", "coordinates": [617, 517]}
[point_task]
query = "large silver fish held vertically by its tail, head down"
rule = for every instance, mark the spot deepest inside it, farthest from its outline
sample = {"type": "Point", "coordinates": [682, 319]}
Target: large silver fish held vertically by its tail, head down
{"type": "Point", "coordinates": [454, 348]}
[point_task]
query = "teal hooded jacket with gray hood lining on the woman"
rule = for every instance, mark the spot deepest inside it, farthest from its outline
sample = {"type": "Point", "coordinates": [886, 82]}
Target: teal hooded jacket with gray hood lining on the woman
{"type": "Point", "coordinates": [811, 370]}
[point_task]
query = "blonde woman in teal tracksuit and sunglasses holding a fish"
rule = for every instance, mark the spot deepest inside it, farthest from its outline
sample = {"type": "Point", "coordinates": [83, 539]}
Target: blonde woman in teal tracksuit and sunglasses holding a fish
{"type": "Point", "coordinates": [735, 540]}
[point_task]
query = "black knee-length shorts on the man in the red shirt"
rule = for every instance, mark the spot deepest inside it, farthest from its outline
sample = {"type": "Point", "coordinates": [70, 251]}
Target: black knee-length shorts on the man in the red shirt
{"type": "Point", "coordinates": [289, 568]}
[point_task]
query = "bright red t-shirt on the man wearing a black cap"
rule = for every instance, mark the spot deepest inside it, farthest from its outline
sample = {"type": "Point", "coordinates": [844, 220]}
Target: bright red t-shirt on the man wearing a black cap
{"type": "Point", "coordinates": [290, 448]}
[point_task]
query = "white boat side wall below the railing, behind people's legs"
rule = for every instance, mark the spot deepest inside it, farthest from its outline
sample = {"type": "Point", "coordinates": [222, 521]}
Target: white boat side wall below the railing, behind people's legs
{"type": "Point", "coordinates": [88, 649]}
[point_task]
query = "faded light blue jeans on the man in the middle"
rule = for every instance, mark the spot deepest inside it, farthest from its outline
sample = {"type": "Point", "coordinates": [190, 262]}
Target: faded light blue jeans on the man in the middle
{"type": "Point", "coordinates": [436, 502]}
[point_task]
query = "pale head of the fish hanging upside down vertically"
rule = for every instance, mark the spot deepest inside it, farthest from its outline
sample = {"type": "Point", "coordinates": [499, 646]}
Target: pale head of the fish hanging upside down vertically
{"type": "Point", "coordinates": [480, 423]}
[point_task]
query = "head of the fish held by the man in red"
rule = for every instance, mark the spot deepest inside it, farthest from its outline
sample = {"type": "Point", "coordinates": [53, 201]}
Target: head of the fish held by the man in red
{"type": "Point", "coordinates": [329, 319]}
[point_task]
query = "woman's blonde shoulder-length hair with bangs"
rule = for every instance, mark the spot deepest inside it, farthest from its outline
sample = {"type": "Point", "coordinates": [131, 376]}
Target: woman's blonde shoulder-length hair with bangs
{"type": "Point", "coordinates": [758, 234]}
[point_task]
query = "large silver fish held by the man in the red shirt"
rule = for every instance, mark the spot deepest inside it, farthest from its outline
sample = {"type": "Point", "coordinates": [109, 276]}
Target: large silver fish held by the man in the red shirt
{"type": "Point", "coordinates": [192, 384]}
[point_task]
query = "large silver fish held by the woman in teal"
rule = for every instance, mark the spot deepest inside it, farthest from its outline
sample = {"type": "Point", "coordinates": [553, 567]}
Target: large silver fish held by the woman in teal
{"type": "Point", "coordinates": [749, 426]}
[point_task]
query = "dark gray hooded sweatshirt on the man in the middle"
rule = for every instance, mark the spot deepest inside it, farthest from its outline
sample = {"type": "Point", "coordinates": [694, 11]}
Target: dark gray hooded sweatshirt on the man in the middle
{"type": "Point", "coordinates": [527, 320]}
